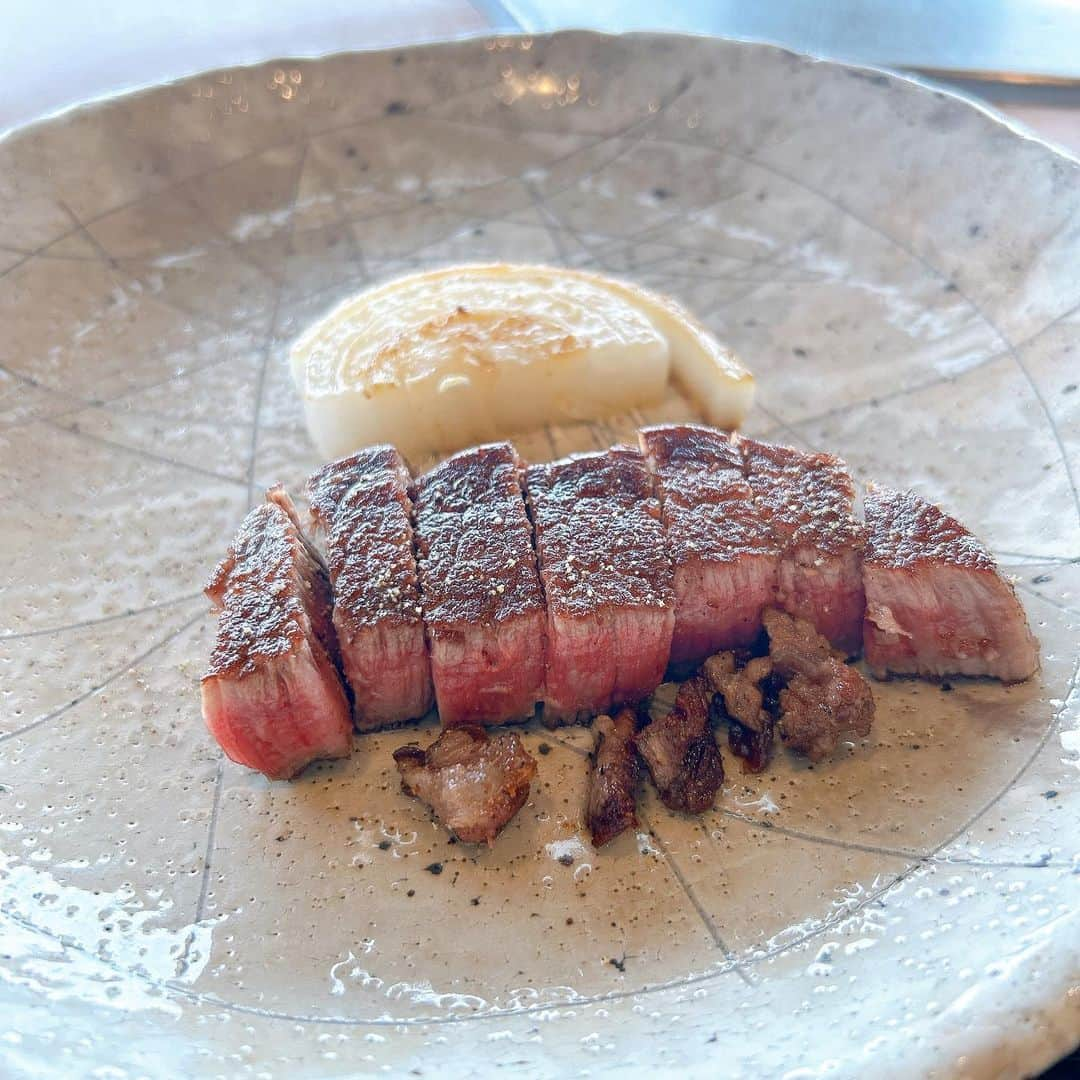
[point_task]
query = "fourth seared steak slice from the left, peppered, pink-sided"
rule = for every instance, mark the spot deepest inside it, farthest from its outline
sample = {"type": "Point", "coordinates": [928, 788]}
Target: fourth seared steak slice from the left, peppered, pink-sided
{"type": "Point", "coordinates": [606, 578]}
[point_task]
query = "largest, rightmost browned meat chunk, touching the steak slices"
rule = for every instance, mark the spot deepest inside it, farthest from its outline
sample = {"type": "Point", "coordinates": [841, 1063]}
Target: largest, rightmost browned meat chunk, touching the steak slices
{"type": "Point", "coordinates": [825, 697]}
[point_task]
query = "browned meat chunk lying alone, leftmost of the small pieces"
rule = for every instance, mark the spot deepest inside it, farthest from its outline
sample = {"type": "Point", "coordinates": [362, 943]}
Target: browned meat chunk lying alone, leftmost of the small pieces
{"type": "Point", "coordinates": [474, 782]}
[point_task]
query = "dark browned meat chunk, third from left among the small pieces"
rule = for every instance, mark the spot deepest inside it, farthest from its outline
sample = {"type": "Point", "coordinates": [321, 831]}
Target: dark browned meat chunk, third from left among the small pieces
{"type": "Point", "coordinates": [681, 752]}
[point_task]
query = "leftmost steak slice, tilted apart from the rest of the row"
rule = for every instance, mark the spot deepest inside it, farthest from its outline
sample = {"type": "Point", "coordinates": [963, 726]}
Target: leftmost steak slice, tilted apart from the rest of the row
{"type": "Point", "coordinates": [273, 696]}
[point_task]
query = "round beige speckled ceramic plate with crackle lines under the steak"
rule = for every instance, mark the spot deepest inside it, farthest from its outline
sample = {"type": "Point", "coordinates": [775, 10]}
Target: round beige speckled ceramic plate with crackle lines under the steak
{"type": "Point", "coordinates": [901, 271]}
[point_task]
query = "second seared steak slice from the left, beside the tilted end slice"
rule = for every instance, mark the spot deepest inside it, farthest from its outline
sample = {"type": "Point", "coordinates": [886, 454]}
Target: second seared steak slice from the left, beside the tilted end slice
{"type": "Point", "coordinates": [362, 506]}
